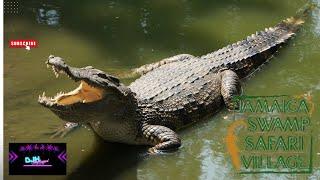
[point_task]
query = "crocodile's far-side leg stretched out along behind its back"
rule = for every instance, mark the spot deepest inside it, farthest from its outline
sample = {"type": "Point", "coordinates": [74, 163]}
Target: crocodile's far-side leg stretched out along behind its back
{"type": "Point", "coordinates": [149, 67]}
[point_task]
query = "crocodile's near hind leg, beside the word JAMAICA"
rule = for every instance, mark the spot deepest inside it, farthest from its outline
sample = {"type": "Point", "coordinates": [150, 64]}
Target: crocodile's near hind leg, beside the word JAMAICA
{"type": "Point", "coordinates": [230, 87]}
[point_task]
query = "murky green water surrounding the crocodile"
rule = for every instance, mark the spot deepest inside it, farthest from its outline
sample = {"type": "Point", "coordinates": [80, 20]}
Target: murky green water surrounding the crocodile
{"type": "Point", "coordinates": [118, 35]}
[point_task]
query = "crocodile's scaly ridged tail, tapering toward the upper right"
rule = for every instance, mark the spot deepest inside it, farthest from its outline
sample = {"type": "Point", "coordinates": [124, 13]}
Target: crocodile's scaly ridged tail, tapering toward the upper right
{"type": "Point", "coordinates": [246, 56]}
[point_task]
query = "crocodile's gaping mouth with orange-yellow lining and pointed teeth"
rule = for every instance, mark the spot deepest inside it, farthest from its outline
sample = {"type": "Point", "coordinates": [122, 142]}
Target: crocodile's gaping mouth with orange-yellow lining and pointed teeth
{"type": "Point", "coordinates": [84, 93]}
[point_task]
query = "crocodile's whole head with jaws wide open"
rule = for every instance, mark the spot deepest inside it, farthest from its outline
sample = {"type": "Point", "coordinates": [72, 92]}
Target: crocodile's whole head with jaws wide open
{"type": "Point", "coordinates": [86, 102]}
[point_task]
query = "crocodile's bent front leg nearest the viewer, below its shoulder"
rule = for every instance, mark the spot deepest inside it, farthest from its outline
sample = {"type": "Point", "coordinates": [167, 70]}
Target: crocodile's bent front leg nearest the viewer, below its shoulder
{"type": "Point", "coordinates": [163, 138]}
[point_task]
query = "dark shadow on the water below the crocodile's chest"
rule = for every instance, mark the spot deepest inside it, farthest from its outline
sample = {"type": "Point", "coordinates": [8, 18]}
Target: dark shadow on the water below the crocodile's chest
{"type": "Point", "coordinates": [108, 161]}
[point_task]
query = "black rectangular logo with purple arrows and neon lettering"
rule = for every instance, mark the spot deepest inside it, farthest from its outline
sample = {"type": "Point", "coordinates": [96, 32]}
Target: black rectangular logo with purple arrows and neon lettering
{"type": "Point", "coordinates": [37, 158]}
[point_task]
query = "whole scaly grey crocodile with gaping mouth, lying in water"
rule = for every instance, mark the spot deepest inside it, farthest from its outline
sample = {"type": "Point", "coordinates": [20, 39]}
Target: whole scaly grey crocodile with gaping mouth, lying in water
{"type": "Point", "coordinates": [168, 95]}
